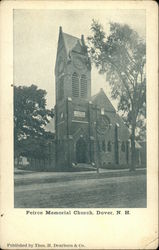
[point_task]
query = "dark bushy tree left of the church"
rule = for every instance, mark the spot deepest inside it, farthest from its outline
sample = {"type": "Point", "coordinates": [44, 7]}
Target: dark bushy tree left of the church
{"type": "Point", "coordinates": [30, 118]}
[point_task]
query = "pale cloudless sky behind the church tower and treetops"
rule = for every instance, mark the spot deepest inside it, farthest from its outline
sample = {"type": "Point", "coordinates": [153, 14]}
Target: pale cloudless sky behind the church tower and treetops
{"type": "Point", "coordinates": [35, 35]}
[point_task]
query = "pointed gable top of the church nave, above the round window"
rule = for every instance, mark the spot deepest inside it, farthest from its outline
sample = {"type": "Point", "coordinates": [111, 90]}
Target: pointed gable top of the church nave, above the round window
{"type": "Point", "coordinates": [102, 100]}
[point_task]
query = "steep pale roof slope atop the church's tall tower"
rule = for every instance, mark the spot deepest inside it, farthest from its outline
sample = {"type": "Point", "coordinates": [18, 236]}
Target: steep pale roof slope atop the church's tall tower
{"type": "Point", "coordinates": [70, 41]}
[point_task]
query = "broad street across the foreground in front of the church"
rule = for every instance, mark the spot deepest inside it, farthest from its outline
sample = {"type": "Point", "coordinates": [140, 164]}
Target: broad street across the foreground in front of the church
{"type": "Point", "coordinates": [77, 190]}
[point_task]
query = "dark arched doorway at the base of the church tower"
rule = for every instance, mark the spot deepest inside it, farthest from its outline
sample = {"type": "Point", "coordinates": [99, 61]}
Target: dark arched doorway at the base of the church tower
{"type": "Point", "coordinates": [81, 150]}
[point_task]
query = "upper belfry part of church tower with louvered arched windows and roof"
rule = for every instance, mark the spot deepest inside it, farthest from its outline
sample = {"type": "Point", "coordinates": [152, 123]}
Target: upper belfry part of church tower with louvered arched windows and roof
{"type": "Point", "coordinates": [72, 69]}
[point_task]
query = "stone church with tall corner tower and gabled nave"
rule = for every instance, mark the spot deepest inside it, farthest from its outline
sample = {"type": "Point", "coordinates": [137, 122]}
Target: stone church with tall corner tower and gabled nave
{"type": "Point", "coordinates": [88, 129]}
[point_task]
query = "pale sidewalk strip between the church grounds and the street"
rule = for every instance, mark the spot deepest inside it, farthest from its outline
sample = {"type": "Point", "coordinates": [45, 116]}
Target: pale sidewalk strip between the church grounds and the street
{"type": "Point", "coordinates": [23, 177]}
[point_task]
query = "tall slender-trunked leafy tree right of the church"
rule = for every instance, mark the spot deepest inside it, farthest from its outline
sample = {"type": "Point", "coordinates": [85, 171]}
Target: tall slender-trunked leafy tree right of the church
{"type": "Point", "coordinates": [121, 55]}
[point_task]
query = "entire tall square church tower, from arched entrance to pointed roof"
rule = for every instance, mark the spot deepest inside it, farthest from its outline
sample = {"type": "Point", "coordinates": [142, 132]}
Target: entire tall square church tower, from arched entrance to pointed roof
{"type": "Point", "coordinates": [73, 105]}
